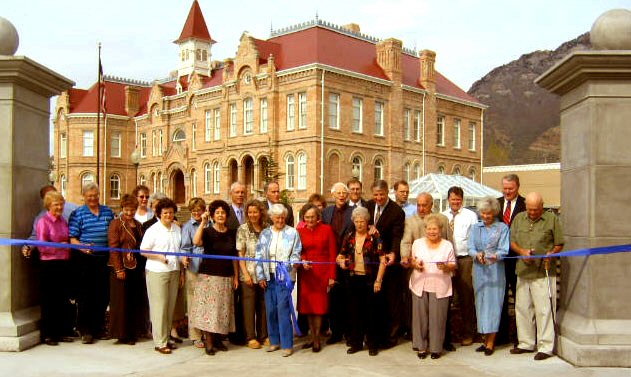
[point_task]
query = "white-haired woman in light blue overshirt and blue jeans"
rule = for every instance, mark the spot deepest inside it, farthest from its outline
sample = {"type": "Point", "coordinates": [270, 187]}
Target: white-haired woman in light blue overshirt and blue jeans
{"type": "Point", "coordinates": [278, 243]}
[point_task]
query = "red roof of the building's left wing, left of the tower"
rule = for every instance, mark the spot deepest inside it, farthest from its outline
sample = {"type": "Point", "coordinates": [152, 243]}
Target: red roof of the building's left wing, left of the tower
{"type": "Point", "coordinates": [86, 101]}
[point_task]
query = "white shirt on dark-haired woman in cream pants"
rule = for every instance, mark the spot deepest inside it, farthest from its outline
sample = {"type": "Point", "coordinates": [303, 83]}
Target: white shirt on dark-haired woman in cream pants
{"type": "Point", "coordinates": [159, 238]}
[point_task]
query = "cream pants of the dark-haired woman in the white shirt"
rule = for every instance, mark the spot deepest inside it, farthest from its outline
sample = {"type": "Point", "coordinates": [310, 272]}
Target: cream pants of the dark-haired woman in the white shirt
{"type": "Point", "coordinates": [162, 291]}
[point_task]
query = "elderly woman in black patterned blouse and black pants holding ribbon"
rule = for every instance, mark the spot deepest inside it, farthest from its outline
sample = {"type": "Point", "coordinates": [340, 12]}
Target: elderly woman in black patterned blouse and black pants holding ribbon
{"type": "Point", "coordinates": [362, 255]}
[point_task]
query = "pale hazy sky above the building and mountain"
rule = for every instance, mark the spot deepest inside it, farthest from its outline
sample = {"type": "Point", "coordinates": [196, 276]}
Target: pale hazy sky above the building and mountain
{"type": "Point", "coordinates": [470, 37]}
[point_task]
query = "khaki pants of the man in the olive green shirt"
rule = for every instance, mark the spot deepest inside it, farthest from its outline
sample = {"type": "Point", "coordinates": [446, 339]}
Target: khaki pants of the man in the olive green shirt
{"type": "Point", "coordinates": [533, 314]}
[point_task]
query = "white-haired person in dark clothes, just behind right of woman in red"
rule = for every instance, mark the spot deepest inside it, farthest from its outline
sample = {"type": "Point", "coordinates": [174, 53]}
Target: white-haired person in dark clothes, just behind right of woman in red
{"type": "Point", "coordinates": [338, 216]}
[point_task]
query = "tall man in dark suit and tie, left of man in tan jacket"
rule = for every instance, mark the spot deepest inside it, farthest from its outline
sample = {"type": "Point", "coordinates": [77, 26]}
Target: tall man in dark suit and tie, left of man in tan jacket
{"type": "Point", "coordinates": [387, 219]}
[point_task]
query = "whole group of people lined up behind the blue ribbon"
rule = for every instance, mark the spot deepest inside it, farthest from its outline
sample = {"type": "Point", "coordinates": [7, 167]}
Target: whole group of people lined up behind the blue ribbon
{"type": "Point", "coordinates": [368, 272]}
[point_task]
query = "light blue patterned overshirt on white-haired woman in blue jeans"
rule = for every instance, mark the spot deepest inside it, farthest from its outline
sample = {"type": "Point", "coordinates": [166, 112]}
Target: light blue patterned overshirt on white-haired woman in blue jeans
{"type": "Point", "coordinates": [288, 252]}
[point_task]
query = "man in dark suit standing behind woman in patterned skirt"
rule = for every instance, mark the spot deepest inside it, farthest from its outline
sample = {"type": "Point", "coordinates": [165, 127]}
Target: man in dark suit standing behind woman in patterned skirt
{"type": "Point", "coordinates": [236, 217]}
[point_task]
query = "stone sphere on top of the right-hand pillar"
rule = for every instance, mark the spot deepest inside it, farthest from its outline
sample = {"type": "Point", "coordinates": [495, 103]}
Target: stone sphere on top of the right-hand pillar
{"type": "Point", "coordinates": [612, 30]}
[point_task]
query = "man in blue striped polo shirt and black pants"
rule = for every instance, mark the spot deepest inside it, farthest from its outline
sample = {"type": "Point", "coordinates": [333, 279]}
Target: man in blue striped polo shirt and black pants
{"type": "Point", "coordinates": [88, 226]}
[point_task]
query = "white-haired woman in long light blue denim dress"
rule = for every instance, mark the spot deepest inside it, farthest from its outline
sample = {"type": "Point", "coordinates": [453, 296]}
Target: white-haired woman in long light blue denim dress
{"type": "Point", "coordinates": [488, 243]}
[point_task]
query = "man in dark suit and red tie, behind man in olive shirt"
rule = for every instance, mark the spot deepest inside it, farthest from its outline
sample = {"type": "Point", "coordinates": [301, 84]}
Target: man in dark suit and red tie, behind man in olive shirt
{"type": "Point", "coordinates": [511, 203]}
